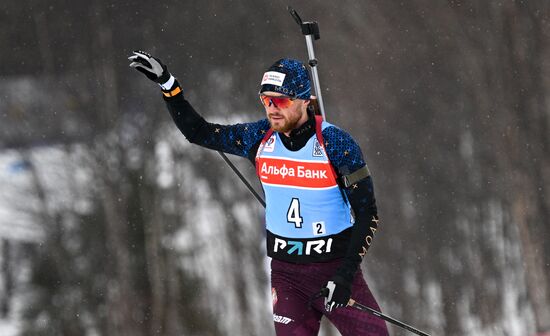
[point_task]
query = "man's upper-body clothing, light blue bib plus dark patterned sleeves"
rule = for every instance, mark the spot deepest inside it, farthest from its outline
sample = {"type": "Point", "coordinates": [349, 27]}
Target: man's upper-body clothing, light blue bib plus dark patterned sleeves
{"type": "Point", "coordinates": [304, 215]}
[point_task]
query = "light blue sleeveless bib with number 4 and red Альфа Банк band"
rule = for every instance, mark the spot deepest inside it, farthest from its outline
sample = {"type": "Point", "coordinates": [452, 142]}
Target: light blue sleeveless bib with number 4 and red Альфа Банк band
{"type": "Point", "coordinates": [305, 208]}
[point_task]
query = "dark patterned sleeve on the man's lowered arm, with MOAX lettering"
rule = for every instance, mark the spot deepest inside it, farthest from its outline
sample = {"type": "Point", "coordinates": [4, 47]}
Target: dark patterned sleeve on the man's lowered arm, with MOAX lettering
{"type": "Point", "coordinates": [346, 157]}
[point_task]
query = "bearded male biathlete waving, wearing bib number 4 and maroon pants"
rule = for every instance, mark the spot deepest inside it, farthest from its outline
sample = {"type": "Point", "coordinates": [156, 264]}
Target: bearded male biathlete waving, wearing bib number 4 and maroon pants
{"type": "Point", "coordinates": [320, 210]}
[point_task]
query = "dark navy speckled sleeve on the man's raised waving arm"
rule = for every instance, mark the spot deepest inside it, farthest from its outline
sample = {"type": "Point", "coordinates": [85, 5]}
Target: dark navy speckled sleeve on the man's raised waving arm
{"type": "Point", "coordinates": [237, 139]}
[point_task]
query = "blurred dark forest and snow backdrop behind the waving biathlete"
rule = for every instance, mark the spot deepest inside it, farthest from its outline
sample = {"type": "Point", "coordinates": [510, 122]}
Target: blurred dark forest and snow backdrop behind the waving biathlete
{"type": "Point", "coordinates": [111, 223]}
